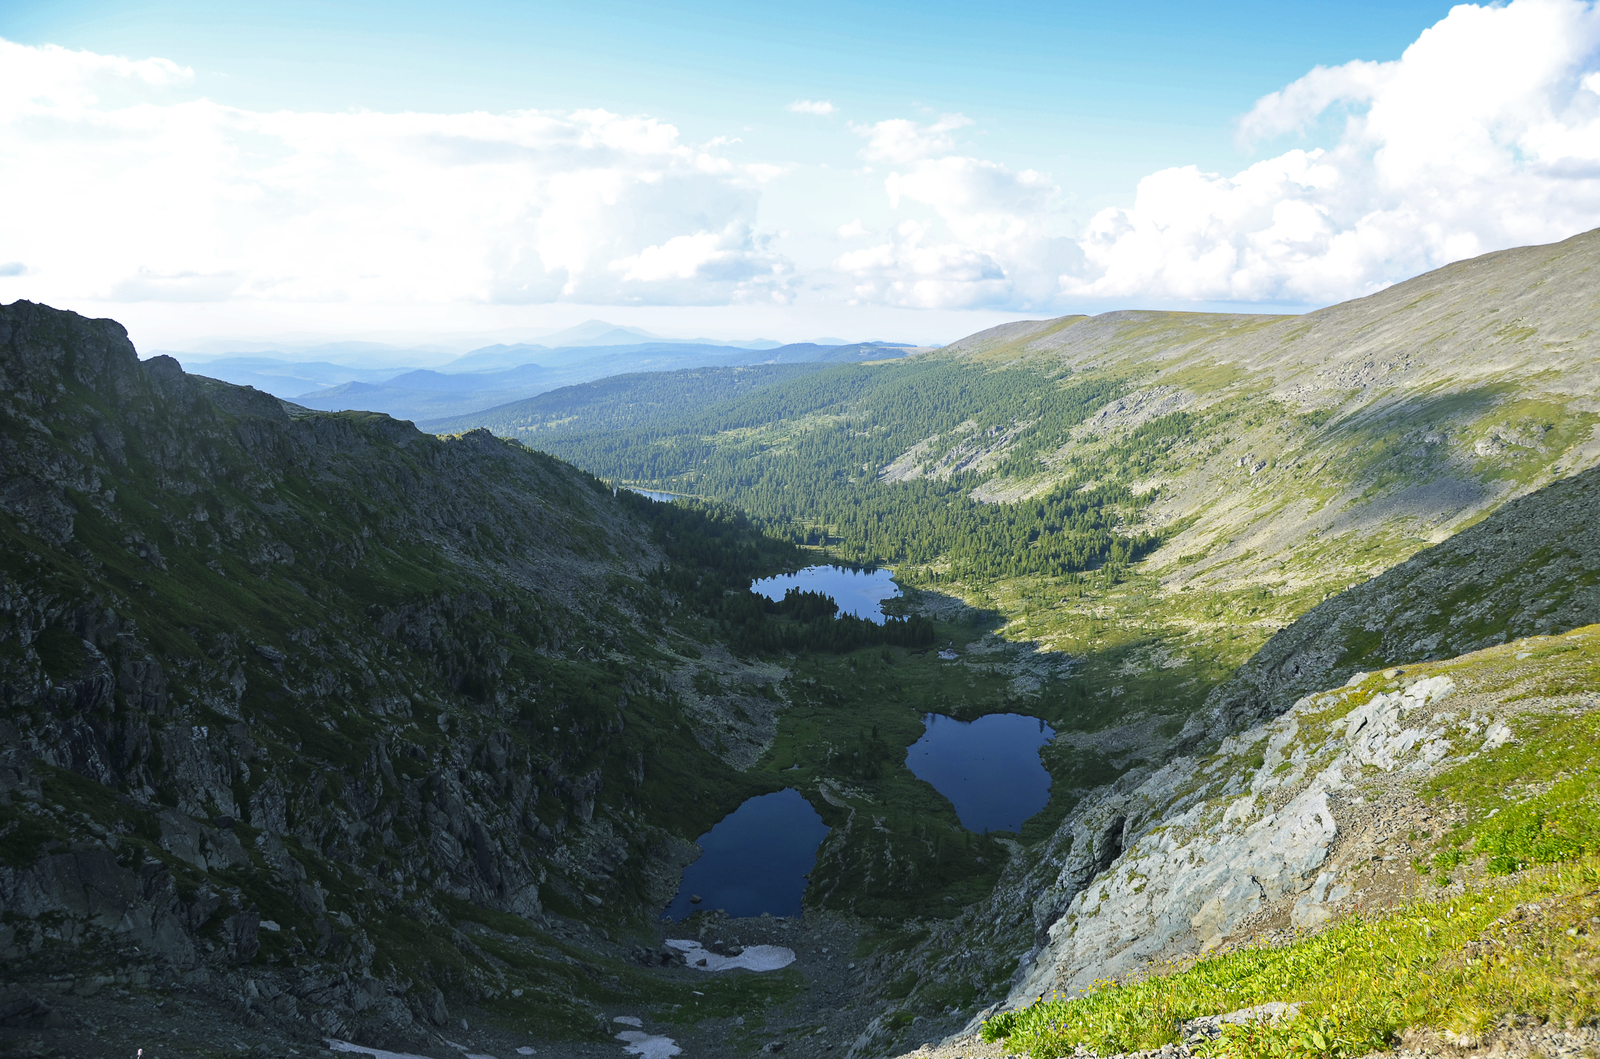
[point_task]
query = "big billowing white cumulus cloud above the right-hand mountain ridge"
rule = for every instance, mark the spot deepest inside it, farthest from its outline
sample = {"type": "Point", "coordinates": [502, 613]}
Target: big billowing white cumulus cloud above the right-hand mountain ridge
{"type": "Point", "coordinates": [1478, 138]}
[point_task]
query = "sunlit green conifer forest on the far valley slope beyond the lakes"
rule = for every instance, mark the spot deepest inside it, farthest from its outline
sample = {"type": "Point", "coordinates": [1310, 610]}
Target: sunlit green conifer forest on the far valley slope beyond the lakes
{"type": "Point", "coordinates": [817, 476]}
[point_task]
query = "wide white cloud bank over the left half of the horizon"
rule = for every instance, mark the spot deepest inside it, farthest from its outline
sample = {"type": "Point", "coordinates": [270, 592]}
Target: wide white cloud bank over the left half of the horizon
{"type": "Point", "coordinates": [138, 190]}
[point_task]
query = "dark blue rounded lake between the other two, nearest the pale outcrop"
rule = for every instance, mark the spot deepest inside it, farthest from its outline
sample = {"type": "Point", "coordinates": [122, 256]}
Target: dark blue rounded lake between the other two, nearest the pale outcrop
{"type": "Point", "coordinates": [988, 769]}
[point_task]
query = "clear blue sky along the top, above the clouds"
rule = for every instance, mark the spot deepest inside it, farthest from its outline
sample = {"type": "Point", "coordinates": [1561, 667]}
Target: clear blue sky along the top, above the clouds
{"type": "Point", "coordinates": [1097, 94]}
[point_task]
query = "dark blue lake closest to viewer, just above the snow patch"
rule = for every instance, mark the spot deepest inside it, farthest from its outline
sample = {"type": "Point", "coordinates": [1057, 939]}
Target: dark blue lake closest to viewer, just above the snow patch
{"type": "Point", "coordinates": [756, 860]}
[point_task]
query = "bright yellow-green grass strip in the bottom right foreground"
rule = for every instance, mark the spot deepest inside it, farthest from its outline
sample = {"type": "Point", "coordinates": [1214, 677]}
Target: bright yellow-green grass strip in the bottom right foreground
{"type": "Point", "coordinates": [1457, 964]}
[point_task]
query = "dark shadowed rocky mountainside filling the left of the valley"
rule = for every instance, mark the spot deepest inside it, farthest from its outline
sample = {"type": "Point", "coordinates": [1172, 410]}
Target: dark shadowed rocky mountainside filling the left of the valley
{"type": "Point", "coordinates": [281, 687]}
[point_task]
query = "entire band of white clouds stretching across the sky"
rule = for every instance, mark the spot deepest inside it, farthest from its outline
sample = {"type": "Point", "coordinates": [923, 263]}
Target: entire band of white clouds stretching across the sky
{"type": "Point", "coordinates": [1484, 135]}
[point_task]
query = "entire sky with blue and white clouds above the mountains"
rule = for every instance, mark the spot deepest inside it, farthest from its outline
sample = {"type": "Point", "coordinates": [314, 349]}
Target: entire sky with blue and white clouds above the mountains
{"type": "Point", "coordinates": [905, 172]}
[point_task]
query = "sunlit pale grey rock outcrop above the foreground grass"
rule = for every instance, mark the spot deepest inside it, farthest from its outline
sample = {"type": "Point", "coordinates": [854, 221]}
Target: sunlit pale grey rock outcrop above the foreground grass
{"type": "Point", "coordinates": [1254, 828]}
